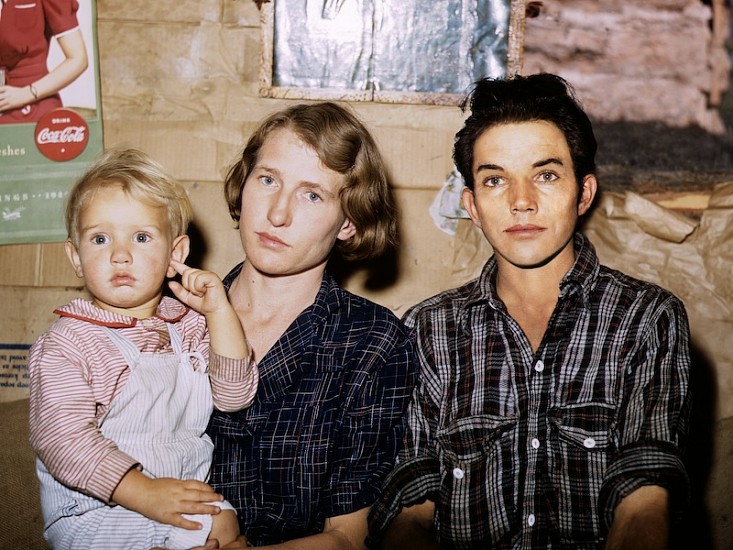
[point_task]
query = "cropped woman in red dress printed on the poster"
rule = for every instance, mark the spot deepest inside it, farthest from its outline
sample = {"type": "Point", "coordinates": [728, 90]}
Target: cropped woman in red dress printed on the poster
{"type": "Point", "coordinates": [27, 89]}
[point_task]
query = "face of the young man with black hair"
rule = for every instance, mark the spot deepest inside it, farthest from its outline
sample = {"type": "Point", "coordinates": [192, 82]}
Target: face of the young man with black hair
{"type": "Point", "coordinates": [525, 197]}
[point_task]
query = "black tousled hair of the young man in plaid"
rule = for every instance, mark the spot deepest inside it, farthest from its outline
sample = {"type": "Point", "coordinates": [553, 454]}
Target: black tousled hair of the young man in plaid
{"type": "Point", "coordinates": [543, 96]}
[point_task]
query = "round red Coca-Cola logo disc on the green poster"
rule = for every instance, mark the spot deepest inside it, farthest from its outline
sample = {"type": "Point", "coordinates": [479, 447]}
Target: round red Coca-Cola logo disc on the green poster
{"type": "Point", "coordinates": [62, 134]}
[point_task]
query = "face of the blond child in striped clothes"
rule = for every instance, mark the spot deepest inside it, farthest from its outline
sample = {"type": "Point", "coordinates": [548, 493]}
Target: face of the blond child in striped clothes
{"type": "Point", "coordinates": [124, 252]}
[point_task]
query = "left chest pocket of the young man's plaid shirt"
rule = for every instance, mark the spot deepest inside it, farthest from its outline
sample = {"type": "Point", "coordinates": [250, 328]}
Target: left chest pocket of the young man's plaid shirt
{"type": "Point", "coordinates": [477, 490]}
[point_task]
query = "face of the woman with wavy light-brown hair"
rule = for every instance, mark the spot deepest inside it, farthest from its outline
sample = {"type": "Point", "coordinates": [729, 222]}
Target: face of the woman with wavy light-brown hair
{"type": "Point", "coordinates": [291, 212]}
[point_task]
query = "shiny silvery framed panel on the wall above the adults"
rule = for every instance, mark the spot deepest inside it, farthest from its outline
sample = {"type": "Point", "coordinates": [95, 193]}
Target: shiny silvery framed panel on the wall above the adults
{"type": "Point", "coordinates": [377, 50]}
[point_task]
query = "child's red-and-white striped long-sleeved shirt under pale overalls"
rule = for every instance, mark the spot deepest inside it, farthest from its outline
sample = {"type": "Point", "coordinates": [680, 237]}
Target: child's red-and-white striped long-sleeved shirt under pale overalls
{"type": "Point", "coordinates": [76, 371]}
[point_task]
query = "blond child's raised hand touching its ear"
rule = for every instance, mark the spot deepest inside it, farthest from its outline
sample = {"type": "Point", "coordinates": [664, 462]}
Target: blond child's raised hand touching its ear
{"type": "Point", "coordinates": [199, 289]}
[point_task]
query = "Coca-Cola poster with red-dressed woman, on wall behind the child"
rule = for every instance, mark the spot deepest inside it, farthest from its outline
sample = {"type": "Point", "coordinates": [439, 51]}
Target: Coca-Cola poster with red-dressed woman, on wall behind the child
{"type": "Point", "coordinates": [50, 127]}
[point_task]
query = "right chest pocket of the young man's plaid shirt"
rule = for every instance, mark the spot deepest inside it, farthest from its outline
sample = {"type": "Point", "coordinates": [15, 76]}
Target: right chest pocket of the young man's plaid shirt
{"type": "Point", "coordinates": [580, 446]}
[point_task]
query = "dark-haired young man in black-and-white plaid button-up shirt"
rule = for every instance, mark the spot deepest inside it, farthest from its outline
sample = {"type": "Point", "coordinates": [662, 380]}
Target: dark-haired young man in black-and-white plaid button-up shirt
{"type": "Point", "coordinates": [552, 399]}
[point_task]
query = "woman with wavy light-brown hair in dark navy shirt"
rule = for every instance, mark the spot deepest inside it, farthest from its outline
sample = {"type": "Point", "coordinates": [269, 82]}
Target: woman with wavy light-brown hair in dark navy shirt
{"type": "Point", "coordinates": [307, 459]}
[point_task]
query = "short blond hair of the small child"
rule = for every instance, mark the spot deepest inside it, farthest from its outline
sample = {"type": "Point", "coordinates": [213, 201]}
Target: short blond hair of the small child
{"type": "Point", "coordinates": [140, 177]}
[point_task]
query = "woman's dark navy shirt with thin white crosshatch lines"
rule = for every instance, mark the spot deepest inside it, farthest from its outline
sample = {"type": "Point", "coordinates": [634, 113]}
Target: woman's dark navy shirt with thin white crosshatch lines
{"type": "Point", "coordinates": [327, 421]}
